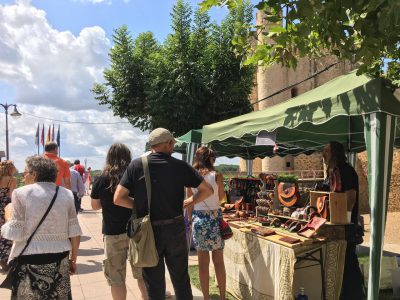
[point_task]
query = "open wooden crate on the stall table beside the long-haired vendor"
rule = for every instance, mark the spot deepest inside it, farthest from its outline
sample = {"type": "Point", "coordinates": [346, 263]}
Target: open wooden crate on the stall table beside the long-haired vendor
{"type": "Point", "coordinates": [337, 205]}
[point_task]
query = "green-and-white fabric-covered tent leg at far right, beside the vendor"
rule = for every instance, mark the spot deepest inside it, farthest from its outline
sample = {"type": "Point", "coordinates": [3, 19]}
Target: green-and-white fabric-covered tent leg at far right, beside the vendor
{"type": "Point", "coordinates": [379, 131]}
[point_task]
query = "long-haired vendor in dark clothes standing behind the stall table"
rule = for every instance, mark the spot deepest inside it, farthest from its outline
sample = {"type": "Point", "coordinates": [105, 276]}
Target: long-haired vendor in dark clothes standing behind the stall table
{"type": "Point", "coordinates": [343, 178]}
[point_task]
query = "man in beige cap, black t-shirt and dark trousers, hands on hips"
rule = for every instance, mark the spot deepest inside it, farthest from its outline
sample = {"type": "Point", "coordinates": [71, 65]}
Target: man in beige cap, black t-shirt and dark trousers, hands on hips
{"type": "Point", "coordinates": [169, 177]}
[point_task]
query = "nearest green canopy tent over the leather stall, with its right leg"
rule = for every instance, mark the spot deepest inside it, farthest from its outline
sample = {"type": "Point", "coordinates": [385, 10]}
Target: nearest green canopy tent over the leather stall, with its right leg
{"type": "Point", "coordinates": [358, 111]}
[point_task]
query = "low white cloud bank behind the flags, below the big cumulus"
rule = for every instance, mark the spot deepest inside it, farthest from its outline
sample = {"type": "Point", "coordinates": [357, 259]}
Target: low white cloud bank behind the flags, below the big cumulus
{"type": "Point", "coordinates": [78, 141]}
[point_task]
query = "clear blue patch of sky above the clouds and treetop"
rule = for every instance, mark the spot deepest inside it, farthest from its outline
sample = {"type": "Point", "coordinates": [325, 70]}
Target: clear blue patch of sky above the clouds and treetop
{"type": "Point", "coordinates": [139, 15]}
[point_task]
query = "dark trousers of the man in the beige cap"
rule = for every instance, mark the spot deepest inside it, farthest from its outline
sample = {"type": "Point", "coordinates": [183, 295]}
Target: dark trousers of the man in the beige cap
{"type": "Point", "coordinates": [172, 247]}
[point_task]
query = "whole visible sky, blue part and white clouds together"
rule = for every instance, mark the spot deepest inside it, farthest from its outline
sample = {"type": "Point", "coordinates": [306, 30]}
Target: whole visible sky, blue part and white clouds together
{"type": "Point", "coordinates": [51, 54]}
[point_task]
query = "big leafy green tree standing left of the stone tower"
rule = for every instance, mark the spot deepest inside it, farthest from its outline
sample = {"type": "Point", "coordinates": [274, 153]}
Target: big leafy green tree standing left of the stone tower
{"type": "Point", "coordinates": [193, 78]}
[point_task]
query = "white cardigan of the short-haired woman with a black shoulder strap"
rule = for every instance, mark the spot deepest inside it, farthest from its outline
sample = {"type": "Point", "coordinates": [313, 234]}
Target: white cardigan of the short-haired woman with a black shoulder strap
{"type": "Point", "coordinates": [29, 203]}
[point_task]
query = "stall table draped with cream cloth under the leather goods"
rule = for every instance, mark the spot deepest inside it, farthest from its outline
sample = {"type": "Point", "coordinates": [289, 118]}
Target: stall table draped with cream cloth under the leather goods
{"type": "Point", "coordinates": [257, 268]}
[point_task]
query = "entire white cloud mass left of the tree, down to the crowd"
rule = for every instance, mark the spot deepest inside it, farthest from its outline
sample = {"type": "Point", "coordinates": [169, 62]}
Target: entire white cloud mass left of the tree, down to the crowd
{"type": "Point", "coordinates": [51, 73]}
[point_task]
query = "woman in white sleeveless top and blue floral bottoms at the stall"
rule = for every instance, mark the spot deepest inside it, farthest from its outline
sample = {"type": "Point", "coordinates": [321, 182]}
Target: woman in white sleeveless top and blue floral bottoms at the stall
{"type": "Point", "coordinates": [205, 217]}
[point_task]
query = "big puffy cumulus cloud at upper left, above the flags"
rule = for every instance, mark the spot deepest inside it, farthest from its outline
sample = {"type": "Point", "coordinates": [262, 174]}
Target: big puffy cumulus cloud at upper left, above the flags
{"type": "Point", "coordinates": [47, 66]}
